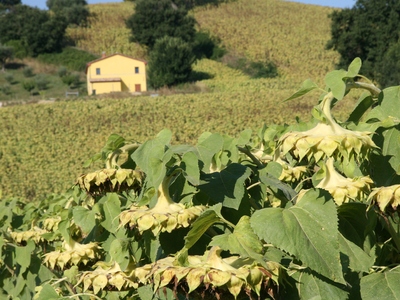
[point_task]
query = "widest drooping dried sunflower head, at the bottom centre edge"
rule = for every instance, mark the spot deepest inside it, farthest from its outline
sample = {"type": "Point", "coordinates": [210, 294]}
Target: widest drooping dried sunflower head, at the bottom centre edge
{"type": "Point", "coordinates": [222, 276]}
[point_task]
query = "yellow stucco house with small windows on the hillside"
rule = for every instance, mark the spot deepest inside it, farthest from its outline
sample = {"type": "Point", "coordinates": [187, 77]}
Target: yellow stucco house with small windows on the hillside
{"type": "Point", "coordinates": [116, 73]}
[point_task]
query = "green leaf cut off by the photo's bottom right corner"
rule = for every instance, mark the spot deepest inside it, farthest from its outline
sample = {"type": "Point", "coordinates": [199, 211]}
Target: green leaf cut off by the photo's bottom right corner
{"type": "Point", "coordinates": [382, 286]}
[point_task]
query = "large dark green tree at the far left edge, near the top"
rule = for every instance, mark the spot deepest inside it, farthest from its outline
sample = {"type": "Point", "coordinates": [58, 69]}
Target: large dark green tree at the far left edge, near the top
{"type": "Point", "coordinates": [37, 31]}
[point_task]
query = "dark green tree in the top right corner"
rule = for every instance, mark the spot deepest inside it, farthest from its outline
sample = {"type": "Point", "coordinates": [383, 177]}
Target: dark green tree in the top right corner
{"type": "Point", "coordinates": [366, 30]}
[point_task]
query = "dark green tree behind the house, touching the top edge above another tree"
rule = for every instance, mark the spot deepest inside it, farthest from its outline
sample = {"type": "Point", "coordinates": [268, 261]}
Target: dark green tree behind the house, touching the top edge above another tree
{"type": "Point", "coordinates": [154, 19]}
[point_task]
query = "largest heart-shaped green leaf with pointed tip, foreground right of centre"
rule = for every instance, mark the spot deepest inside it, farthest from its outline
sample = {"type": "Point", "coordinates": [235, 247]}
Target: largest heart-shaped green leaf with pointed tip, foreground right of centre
{"type": "Point", "coordinates": [307, 230]}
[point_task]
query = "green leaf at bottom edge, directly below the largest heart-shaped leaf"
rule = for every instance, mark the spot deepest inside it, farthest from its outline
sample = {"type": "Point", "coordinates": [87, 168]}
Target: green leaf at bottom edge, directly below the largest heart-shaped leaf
{"type": "Point", "coordinates": [312, 286]}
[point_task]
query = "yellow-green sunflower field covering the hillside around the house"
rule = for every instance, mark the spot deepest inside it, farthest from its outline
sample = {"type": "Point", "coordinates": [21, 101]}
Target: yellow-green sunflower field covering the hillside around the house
{"type": "Point", "coordinates": [44, 146]}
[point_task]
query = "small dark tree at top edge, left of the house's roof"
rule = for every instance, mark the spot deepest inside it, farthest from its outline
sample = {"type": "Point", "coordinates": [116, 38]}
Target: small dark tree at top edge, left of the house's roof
{"type": "Point", "coordinates": [74, 11]}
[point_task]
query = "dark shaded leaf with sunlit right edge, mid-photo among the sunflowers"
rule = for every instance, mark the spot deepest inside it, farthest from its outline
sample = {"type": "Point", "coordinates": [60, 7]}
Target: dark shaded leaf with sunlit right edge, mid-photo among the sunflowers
{"type": "Point", "coordinates": [227, 186]}
